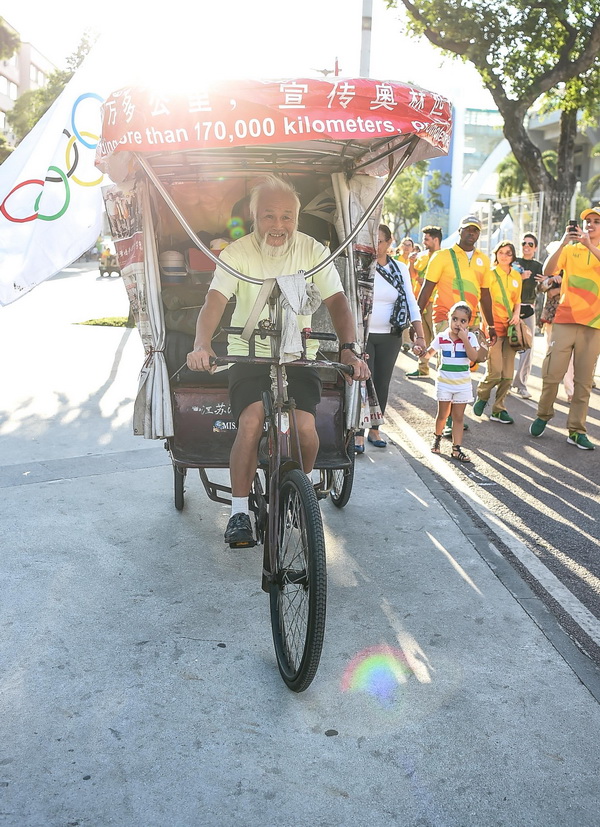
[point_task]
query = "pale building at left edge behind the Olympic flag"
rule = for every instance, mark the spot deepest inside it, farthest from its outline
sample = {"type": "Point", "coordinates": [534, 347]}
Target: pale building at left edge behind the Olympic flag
{"type": "Point", "coordinates": [26, 69]}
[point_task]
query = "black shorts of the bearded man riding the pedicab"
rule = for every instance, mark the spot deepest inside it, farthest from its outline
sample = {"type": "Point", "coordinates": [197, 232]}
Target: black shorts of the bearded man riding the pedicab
{"type": "Point", "coordinates": [247, 383]}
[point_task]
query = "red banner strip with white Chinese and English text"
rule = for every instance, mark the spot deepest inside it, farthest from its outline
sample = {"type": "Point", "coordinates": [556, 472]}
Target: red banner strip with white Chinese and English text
{"type": "Point", "coordinates": [244, 113]}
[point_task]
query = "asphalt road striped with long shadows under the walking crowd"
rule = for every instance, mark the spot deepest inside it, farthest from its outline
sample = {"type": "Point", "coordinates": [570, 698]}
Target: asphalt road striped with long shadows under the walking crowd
{"type": "Point", "coordinates": [546, 491]}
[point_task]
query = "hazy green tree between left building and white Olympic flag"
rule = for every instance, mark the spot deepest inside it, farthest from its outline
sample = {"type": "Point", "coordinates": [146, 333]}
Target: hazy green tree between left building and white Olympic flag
{"type": "Point", "coordinates": [31, 105]}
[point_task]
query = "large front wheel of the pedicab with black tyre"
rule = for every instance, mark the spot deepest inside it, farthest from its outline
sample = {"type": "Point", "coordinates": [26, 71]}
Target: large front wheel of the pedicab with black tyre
{"type": "Point", "coordinates": [299, 591]}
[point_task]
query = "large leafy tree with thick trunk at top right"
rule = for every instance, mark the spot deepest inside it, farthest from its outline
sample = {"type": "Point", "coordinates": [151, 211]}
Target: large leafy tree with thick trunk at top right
{"type": "Point", "coordinates": [528, 54]}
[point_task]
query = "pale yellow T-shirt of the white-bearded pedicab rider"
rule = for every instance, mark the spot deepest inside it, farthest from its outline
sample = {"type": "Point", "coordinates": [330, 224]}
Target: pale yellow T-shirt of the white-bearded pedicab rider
{"type": "Point", "coordinates": [245, 256]}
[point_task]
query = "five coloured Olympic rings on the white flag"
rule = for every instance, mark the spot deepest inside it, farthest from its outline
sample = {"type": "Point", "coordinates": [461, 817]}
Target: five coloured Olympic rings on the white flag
{"type": "Point", "coordinates": [60, 177]}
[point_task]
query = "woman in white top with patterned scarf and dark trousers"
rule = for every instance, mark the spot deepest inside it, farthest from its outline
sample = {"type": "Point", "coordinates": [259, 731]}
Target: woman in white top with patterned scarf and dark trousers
{"type": "Point", "coordinates": [394, 310]}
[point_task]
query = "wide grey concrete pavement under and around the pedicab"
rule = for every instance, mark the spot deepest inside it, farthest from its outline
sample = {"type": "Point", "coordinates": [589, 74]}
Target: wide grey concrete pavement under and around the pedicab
{"type": "Point", "coordinates": [139, 684]}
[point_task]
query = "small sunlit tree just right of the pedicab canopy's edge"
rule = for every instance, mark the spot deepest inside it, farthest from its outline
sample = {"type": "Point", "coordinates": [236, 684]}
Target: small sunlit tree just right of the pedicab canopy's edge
{"type": "Point", "coordinates": [411, 195]}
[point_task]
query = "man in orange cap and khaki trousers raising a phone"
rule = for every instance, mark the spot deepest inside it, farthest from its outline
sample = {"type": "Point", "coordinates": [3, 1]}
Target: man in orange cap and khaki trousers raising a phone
{"type": "Point", "coordinates": [576, 326]}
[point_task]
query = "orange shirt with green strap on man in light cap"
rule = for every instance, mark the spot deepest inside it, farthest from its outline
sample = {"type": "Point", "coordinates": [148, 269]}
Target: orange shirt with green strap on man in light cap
{"type": "Point", "coordinates": [474, 275]}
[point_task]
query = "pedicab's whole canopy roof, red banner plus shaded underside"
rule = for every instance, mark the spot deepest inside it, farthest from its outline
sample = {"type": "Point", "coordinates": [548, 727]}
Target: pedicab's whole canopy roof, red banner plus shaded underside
{"type": "Point", "coordinates": [253, 126]}
